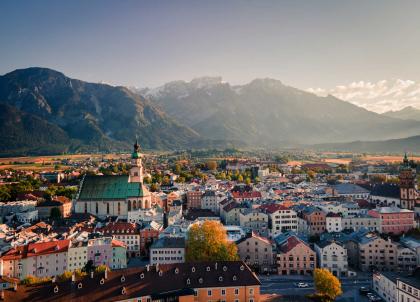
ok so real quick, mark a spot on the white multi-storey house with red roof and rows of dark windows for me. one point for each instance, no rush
(281, 218)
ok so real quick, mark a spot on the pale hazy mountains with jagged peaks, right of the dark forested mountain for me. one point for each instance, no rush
(265, 112)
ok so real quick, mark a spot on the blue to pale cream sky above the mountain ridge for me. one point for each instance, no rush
(313, 45)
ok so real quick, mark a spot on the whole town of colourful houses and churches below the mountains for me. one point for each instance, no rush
(123, 228)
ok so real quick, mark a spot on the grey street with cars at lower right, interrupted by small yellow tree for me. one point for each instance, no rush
(285, 286)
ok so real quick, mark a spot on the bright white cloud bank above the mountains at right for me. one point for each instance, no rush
(380, 97)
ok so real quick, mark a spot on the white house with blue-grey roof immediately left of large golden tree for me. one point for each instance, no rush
(167, 250)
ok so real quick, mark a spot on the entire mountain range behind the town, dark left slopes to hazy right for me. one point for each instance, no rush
(43, 111)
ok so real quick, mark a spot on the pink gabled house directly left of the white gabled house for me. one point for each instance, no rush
(294, 256)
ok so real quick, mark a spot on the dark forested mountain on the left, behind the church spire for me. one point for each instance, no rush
(43, 111)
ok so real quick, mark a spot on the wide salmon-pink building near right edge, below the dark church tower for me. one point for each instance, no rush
(394, 220)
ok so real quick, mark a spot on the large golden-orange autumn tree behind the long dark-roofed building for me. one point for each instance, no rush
(208, 242)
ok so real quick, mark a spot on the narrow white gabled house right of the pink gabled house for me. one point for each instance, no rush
(332, 255)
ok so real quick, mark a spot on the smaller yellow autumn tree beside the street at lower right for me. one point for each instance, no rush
(326, 284)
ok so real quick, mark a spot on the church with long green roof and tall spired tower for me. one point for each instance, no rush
(115, 195)
